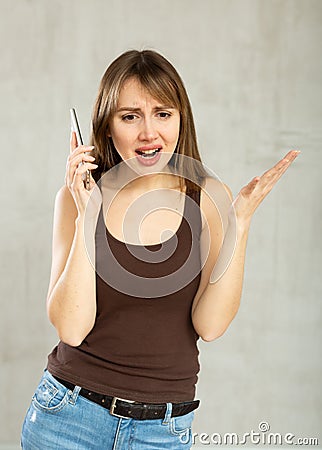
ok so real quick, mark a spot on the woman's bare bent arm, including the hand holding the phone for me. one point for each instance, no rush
(71, 299)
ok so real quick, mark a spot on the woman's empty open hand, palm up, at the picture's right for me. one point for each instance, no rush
(251, 195)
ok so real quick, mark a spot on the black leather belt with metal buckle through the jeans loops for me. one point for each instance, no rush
(134, 410)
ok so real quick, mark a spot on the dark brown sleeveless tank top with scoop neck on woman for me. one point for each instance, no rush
(143, 346)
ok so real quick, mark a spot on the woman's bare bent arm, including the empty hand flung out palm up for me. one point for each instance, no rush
(217, 303)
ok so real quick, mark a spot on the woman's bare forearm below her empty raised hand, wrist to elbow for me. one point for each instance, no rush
(220, 301)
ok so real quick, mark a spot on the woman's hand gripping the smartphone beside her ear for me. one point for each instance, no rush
(74, 178)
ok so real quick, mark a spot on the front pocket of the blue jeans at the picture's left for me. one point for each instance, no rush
(50, 397)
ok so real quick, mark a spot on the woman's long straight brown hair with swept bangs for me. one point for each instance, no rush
(163, 82)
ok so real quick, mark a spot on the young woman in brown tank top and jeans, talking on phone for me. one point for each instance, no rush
(145, 261)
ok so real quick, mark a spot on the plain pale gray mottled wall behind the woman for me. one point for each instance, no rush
(253, 70)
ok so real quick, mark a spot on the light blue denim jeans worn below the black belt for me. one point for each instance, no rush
(61, 419)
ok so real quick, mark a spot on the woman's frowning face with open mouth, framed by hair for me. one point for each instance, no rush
(143, 128)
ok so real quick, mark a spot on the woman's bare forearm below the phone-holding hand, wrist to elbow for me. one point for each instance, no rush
(71, 305)
